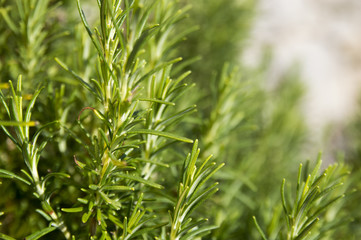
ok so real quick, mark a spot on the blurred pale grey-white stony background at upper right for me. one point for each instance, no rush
(324, 38)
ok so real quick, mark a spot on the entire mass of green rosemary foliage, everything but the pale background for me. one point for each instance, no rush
(101, 116)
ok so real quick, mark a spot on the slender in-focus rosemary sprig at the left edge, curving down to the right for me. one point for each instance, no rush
(31, 153)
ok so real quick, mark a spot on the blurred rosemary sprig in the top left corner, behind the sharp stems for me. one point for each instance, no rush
(30, 32)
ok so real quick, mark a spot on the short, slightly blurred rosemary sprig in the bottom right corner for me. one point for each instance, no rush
(307, 217)
